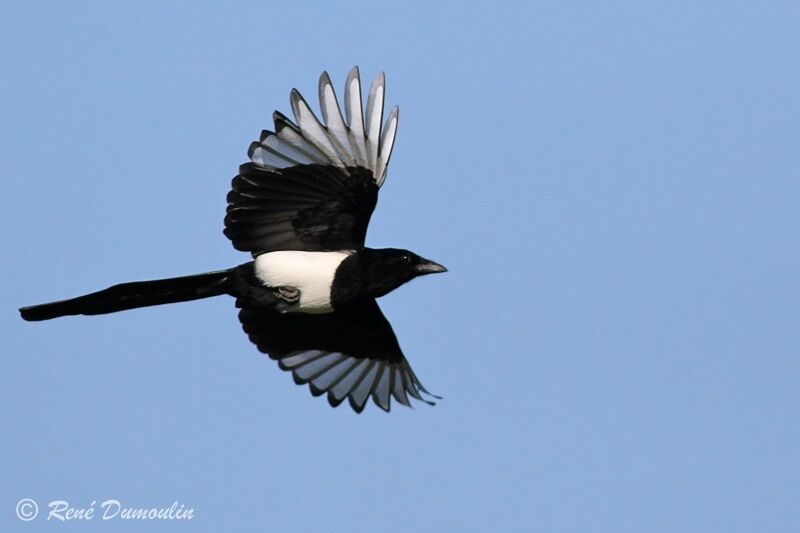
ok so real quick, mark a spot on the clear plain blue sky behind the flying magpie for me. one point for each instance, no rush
(615, 189)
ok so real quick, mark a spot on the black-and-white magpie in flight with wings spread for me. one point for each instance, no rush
(301, 206)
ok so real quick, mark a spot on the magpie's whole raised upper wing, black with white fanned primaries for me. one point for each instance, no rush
(313, 186)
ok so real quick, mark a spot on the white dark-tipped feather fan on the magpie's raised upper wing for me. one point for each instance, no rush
(358, 139)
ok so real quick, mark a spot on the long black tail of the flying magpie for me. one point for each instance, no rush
(133, 295)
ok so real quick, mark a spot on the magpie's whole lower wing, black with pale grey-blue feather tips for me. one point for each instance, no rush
(351, 353)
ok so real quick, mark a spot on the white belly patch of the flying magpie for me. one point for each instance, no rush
(310, 272)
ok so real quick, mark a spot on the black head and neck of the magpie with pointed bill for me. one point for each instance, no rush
(385, 269)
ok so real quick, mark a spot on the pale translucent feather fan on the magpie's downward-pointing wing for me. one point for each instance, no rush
(344, 377)
